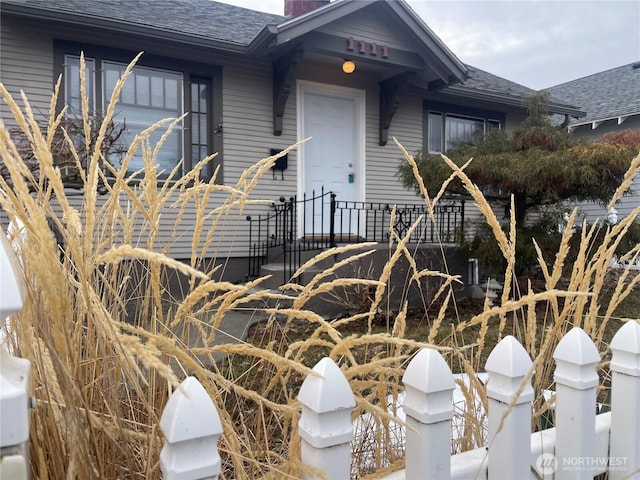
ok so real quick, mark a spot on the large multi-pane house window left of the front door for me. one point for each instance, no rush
(152, 92)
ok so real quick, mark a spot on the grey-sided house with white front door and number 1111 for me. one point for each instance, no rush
(254, 83)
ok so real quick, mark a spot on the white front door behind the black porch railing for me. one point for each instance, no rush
(332, 159)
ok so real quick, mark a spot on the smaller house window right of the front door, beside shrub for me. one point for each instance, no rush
(448, 126)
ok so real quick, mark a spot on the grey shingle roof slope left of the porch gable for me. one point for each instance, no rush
(190, 17)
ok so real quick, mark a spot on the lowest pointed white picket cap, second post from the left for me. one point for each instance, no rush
(190, 414)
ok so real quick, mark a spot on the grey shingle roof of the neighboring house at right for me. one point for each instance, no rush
(612, 94)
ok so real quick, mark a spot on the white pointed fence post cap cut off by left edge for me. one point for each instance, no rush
(13, 292)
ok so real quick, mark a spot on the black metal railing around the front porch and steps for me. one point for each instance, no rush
(321, 221)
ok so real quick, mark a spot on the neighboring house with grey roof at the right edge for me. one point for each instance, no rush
(611, 100)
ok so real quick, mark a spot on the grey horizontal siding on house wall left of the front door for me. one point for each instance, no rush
(26, 64)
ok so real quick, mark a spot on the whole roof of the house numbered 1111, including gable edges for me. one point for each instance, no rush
(218, 25)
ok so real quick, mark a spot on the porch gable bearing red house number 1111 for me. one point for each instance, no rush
(382, 33)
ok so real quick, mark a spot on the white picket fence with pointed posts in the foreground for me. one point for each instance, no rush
(581, 445)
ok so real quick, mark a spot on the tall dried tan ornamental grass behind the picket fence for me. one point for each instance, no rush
(108, 341)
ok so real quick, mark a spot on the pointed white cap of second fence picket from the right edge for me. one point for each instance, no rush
(576, 358)
